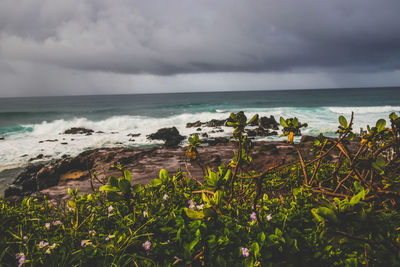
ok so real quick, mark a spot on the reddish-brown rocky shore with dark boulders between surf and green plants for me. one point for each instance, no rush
(91, 169)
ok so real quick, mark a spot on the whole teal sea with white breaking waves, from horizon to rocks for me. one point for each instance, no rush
(27, 123)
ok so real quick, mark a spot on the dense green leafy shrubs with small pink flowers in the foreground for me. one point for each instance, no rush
(340, 208)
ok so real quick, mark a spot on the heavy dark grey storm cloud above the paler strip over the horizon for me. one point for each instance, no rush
(182, 36)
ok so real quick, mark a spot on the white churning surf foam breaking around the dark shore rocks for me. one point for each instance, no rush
(18, 148)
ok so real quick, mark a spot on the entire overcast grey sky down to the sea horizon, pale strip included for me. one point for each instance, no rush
(79, 47)
